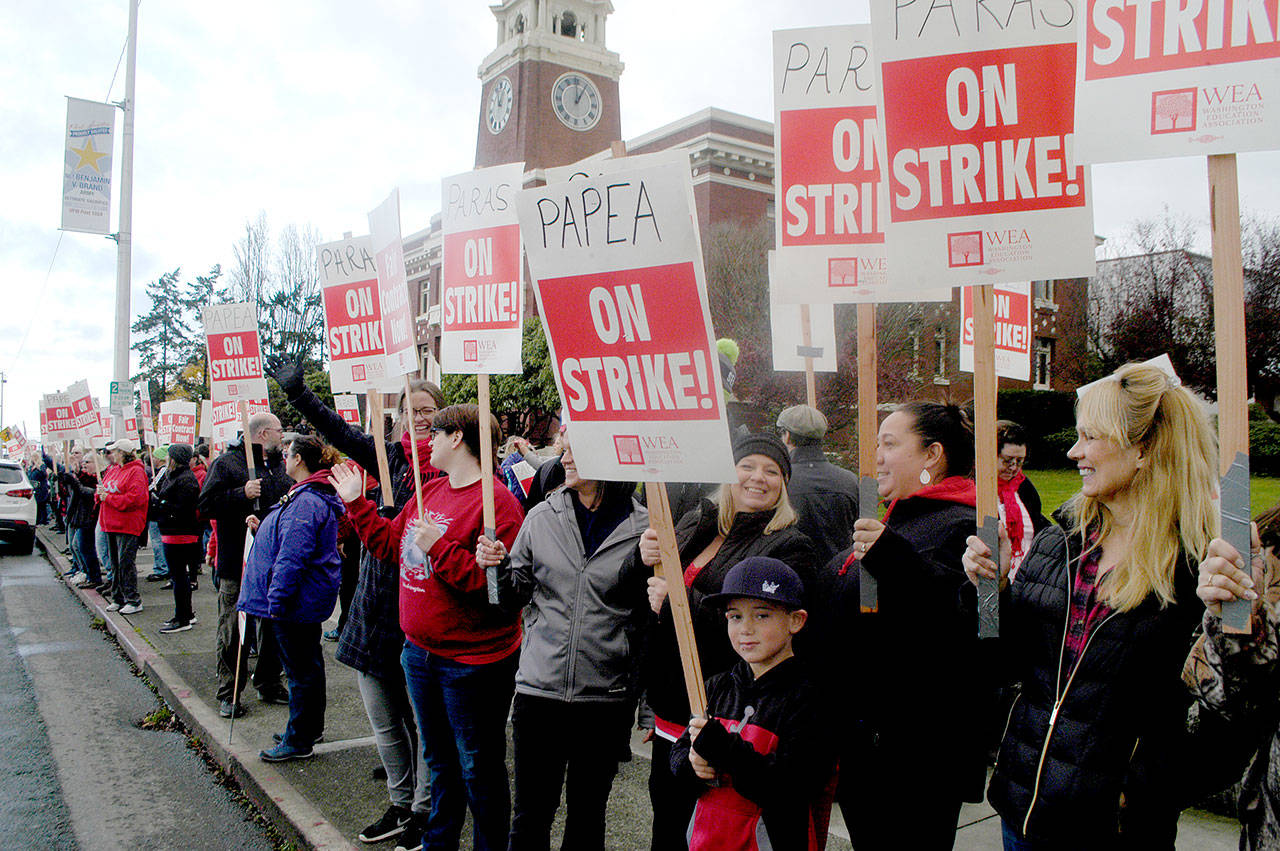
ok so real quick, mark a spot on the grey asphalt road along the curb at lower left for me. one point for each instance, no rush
(76, 768)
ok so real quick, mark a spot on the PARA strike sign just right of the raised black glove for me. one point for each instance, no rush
(353, 315)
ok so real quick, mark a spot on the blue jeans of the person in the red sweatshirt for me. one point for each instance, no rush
(461, 715)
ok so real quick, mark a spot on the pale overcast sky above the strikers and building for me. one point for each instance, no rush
(316, 111)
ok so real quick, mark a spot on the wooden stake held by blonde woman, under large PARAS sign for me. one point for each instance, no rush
(985, 449)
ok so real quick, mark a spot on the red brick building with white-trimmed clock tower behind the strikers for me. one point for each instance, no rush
(550, 97)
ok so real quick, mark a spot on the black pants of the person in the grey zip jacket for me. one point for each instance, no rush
(575, 745)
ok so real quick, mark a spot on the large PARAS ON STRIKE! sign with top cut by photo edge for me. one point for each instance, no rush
(977, 113)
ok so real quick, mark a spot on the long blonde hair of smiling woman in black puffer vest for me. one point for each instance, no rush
(1173, 493)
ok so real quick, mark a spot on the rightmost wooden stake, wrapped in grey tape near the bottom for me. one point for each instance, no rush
(1233, 400)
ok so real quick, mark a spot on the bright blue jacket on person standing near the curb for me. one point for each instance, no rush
(294, 570)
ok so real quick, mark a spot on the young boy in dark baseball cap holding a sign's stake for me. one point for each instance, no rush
(760, 762)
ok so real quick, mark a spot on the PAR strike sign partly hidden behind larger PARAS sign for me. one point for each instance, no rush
(830, 236)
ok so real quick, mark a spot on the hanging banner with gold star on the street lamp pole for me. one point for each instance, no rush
(88, 167)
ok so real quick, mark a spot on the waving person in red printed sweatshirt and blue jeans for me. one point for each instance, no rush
(461, 653)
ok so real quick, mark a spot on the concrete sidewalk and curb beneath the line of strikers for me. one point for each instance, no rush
(326, 802)
